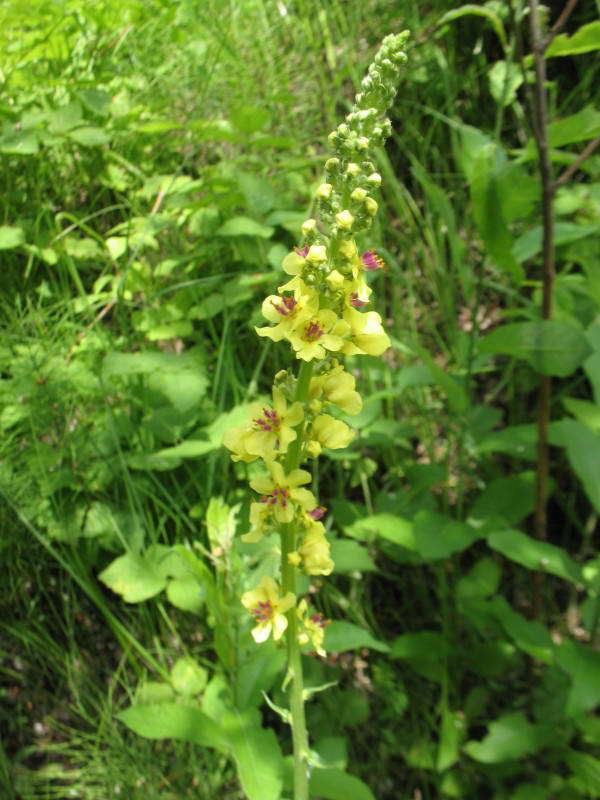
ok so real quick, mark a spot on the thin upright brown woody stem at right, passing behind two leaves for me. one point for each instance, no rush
(540, 118)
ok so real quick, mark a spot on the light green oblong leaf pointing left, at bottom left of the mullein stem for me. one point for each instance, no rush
(174, 721)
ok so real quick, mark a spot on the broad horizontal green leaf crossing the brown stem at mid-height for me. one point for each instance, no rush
(552, 348)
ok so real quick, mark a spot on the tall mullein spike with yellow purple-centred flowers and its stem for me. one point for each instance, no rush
(322, 312)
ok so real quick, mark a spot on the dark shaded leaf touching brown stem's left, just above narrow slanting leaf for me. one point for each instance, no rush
(511, 499)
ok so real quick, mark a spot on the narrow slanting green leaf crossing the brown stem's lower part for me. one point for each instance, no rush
(535, 555)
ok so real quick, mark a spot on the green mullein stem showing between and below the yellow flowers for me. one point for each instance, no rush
(288, 584)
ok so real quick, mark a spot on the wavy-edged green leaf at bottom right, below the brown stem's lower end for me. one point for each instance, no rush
(509, 738)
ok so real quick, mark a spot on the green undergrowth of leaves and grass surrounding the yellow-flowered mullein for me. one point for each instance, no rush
(158, 164)
